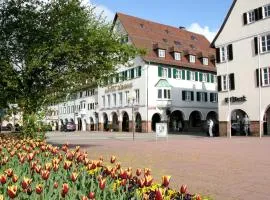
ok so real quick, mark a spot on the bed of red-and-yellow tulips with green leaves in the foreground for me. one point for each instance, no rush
(36, 170)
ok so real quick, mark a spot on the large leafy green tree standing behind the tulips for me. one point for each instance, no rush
(49, 49)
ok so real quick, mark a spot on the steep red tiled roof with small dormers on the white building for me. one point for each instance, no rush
(149, 35)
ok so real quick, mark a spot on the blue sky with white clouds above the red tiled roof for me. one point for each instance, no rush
(200, 16)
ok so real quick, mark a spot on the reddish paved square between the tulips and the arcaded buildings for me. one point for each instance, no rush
(225, 169)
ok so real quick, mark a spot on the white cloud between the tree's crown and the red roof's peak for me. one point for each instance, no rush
(100, 9)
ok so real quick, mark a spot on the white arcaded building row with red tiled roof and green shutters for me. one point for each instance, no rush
(175, 82)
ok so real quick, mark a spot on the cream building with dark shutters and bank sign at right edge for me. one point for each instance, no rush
(243, 68)
